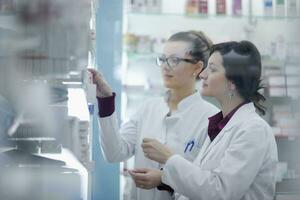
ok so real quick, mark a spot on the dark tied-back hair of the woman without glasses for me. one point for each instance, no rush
(242, 63)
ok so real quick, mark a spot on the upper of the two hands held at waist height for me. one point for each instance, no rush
(156, 151)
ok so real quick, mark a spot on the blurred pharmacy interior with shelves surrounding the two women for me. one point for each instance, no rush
(49, 146)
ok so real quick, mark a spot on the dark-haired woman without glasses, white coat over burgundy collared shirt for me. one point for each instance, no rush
(238, 159)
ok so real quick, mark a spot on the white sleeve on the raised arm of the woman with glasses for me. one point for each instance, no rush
(118, 143)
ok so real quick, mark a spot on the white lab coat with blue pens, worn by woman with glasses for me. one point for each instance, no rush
(187, 123)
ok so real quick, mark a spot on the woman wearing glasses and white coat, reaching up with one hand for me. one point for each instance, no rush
(176, 120)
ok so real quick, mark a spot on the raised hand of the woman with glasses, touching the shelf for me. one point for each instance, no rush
(103, 89)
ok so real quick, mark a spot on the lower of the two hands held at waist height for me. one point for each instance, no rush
(146, 178)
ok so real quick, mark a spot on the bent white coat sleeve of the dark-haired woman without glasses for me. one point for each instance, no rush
(230, 180)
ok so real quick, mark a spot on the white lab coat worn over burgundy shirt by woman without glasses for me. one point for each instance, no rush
(240, 163)
